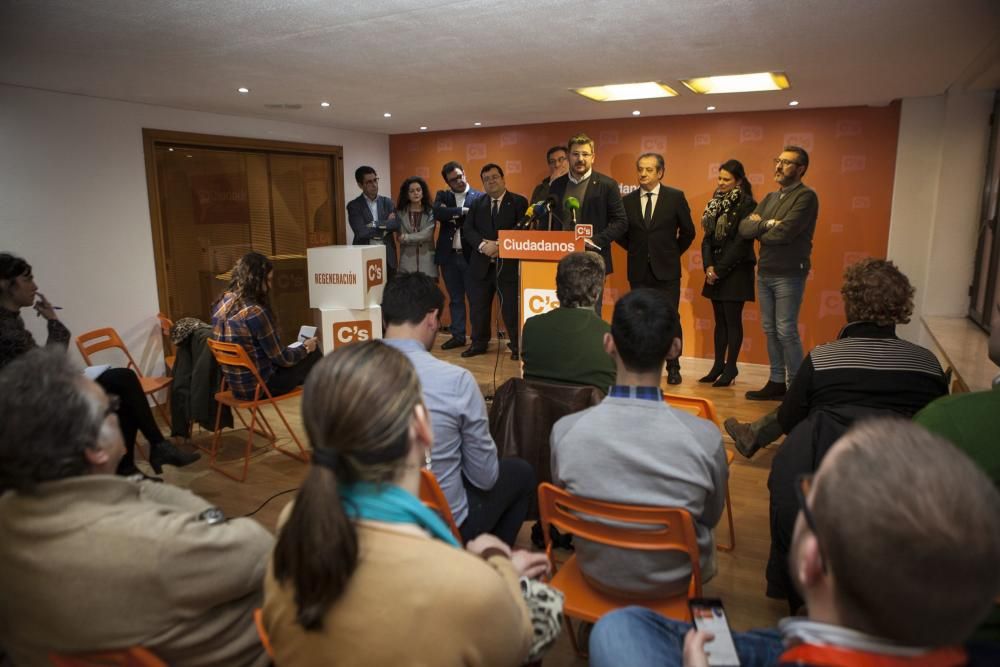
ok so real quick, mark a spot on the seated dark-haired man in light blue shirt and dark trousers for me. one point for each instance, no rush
(486, 495)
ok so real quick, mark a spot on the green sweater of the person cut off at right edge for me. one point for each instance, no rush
(971, 422)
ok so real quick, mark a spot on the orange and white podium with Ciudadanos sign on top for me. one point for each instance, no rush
(539, 254)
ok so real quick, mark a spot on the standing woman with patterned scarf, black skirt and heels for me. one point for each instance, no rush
(729, 262)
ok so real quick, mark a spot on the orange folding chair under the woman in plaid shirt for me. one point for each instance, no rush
(233, 354)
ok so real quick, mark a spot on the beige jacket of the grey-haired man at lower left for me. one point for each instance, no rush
(101, 562)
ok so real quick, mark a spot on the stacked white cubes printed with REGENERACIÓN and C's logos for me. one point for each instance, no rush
(345, 285)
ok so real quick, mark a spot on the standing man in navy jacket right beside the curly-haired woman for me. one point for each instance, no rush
(452, 252)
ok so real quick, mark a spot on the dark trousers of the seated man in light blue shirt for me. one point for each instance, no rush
(501, 510)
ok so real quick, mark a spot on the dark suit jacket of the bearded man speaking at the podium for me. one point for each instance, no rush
(601, 207)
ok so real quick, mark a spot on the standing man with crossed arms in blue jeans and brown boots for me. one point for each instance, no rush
(784, 223)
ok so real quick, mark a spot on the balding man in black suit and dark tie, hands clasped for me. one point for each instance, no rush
(659, 231)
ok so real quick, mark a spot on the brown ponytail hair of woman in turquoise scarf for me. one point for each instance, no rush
(359, 432)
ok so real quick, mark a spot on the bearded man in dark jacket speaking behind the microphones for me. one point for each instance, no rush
(599, 197)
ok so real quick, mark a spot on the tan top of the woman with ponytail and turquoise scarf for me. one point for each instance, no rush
(411, 601)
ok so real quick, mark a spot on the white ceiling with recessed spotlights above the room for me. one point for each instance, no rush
(448, 63)
